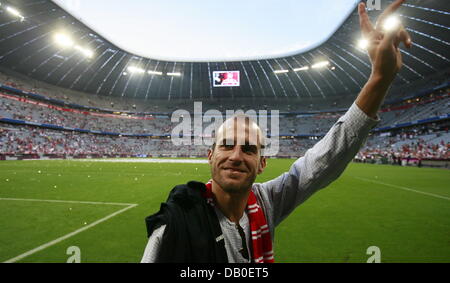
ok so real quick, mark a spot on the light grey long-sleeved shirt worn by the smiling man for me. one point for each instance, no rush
(320, 165)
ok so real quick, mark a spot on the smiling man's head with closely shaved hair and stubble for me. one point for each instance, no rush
(236, 158)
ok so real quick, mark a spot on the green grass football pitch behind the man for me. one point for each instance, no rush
(403, 211)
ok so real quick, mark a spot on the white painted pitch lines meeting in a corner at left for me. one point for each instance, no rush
(60, 239)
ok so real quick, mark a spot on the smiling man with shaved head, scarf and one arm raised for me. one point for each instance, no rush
(232, 219)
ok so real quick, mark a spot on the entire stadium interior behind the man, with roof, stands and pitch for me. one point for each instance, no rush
(87, 130)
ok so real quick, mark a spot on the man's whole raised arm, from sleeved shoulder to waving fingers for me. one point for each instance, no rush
(323, 163)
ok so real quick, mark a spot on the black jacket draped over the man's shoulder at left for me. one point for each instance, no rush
(192, 232)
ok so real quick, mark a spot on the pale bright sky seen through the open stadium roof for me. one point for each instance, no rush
(206, 30)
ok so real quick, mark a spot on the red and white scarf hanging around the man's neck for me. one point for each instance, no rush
(261, 241)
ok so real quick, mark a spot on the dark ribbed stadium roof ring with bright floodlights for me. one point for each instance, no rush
(41, 40)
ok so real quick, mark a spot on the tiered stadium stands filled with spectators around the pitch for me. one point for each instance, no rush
(38, 126)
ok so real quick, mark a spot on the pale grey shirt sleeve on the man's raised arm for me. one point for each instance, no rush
(320, 166)
